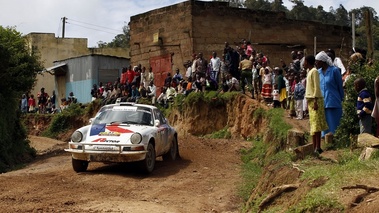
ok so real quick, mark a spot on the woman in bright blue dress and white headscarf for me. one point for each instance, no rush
(331, 89)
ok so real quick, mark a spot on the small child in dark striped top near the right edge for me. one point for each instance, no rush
(364, 106)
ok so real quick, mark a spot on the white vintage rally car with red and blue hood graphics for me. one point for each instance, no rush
(124, 132)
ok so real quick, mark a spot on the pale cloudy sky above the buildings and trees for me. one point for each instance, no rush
(102, 20)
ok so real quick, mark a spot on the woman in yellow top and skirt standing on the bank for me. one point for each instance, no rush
(315, 102)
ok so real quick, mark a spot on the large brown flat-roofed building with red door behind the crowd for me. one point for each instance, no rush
(167, 37)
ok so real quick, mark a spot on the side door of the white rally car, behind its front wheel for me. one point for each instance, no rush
(162, 142)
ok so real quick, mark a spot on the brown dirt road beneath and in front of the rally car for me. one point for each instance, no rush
(206, 179)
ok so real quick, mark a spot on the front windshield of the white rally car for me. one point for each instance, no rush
(125, 115)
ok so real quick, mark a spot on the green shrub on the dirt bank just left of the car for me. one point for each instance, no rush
(64, 120)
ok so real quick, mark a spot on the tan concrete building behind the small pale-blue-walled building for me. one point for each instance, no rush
(53, 49)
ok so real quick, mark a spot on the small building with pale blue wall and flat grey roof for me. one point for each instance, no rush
(79, 74)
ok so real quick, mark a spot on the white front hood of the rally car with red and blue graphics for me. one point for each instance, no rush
(114, 133)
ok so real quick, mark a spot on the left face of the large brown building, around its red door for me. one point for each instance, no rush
(172, 27)
